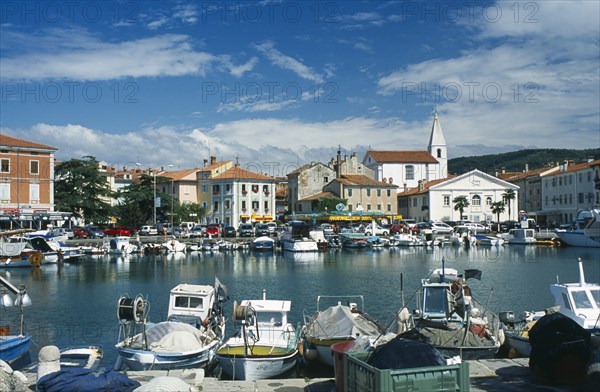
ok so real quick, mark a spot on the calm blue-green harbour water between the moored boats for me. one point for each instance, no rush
(76, 304)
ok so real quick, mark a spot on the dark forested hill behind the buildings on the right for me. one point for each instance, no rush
(516, 160)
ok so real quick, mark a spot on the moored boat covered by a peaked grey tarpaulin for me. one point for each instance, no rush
(337, 323)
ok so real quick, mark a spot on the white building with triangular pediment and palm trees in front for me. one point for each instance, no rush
(433, 200)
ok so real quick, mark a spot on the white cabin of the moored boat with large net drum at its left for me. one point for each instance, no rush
(191, 303)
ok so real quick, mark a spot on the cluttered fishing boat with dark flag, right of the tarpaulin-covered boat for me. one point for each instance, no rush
(454, 322)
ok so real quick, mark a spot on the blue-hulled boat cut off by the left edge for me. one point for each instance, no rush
(14, 347)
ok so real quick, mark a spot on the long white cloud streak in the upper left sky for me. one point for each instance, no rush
(88, 58)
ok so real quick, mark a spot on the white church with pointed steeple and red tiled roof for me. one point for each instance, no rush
(406, 168)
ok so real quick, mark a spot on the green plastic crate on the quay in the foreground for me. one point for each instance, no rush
(361, 377)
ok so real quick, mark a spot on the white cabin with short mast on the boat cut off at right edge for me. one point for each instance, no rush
(579, 301)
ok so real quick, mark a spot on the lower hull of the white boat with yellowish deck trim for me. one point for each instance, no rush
(257, 368)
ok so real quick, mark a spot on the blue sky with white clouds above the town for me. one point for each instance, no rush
(276, 84)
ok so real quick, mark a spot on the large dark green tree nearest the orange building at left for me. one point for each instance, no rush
(79, 188)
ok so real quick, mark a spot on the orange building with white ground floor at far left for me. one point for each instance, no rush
(26, 178)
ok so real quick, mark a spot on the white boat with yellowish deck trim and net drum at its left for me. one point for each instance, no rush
(265, 346)
